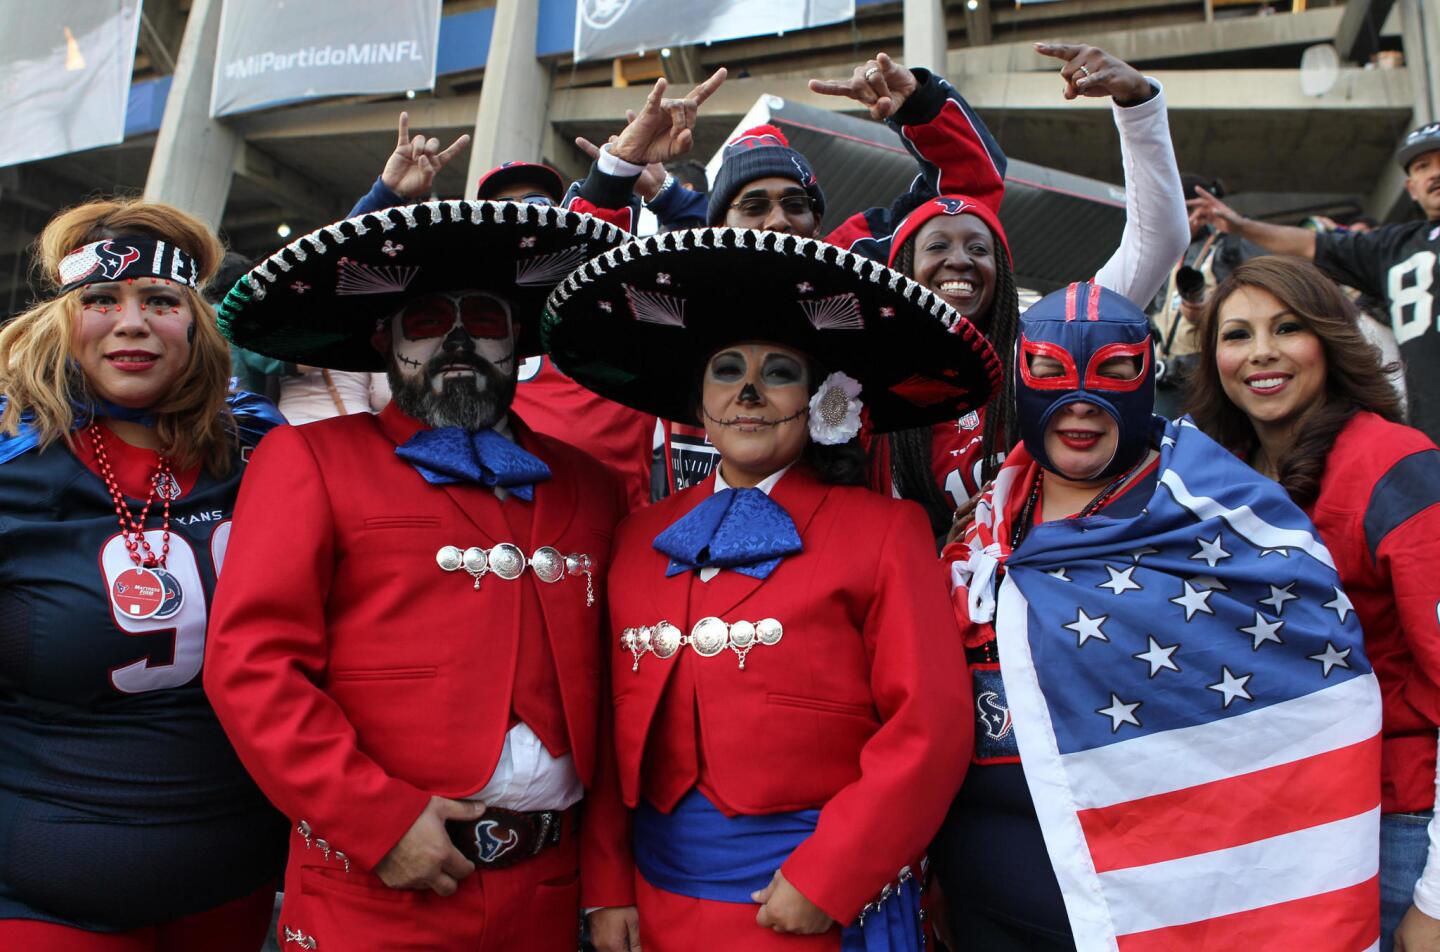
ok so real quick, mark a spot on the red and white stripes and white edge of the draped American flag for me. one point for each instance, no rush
(1243, 833)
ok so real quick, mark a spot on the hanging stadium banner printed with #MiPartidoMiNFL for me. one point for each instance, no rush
(322, 48)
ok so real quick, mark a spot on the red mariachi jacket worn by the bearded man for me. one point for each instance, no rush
(354, 676)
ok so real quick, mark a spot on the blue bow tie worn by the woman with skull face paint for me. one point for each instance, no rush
(735, 529)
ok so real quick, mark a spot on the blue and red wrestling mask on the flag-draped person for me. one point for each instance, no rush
(1084, 328)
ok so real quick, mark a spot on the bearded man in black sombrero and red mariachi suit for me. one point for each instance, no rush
(405, 646)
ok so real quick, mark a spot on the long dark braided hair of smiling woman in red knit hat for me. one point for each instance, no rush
(911, 450)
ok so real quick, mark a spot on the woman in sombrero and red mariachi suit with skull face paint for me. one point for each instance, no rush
(787, 721)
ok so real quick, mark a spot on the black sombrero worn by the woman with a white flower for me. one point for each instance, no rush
(637, 323)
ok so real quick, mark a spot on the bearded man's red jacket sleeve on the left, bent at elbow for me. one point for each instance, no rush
(267, 650)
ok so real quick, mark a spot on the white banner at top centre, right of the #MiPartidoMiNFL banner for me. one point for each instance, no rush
(618, 28)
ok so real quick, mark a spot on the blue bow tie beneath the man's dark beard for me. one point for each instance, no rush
(451, 454)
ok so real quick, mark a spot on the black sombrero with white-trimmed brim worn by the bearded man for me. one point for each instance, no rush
(319, 299)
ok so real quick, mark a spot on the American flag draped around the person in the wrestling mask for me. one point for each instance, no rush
(1197, 721)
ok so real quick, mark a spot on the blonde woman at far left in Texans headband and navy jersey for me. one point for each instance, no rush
(127, 820)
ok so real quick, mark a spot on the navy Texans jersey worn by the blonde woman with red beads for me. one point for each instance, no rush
(122, 801)
